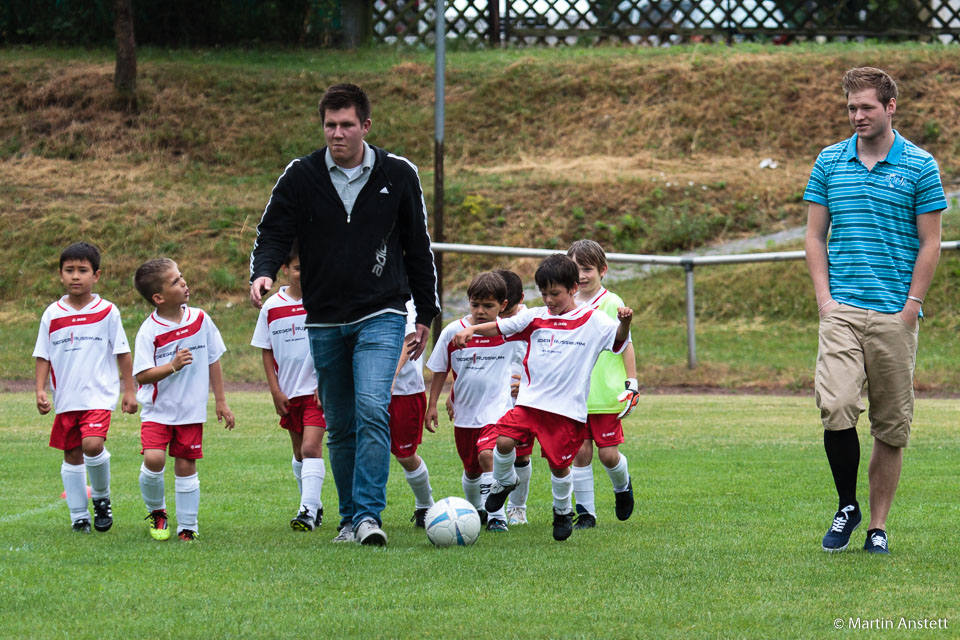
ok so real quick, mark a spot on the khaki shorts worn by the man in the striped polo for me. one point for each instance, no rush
(861, 347)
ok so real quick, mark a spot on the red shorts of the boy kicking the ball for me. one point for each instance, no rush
(560, 437)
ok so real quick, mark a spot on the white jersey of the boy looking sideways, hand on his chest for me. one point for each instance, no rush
(180, 398)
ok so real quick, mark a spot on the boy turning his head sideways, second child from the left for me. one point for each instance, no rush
(173, 393)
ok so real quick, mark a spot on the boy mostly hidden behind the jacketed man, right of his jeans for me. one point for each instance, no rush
(408, 406)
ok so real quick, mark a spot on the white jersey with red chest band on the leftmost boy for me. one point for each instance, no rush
(82, 348)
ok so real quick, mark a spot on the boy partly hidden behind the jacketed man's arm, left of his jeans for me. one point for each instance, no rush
(282, 335)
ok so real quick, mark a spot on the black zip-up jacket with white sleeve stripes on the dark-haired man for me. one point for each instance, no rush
(351, 266)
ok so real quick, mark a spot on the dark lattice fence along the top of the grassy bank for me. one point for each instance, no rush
(662, 22)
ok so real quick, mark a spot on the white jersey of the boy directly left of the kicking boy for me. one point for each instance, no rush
(481, 375)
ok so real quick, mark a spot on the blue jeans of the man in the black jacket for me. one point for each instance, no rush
(355, 366)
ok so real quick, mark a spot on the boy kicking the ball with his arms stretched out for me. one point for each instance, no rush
(562, 342)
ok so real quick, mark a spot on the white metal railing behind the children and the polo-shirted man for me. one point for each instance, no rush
(686, 262)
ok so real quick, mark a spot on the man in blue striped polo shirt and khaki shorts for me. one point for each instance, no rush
(882, 197)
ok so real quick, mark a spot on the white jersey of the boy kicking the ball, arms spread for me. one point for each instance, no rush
(559, 357)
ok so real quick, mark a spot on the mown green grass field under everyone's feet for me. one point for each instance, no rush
(733, 495)
